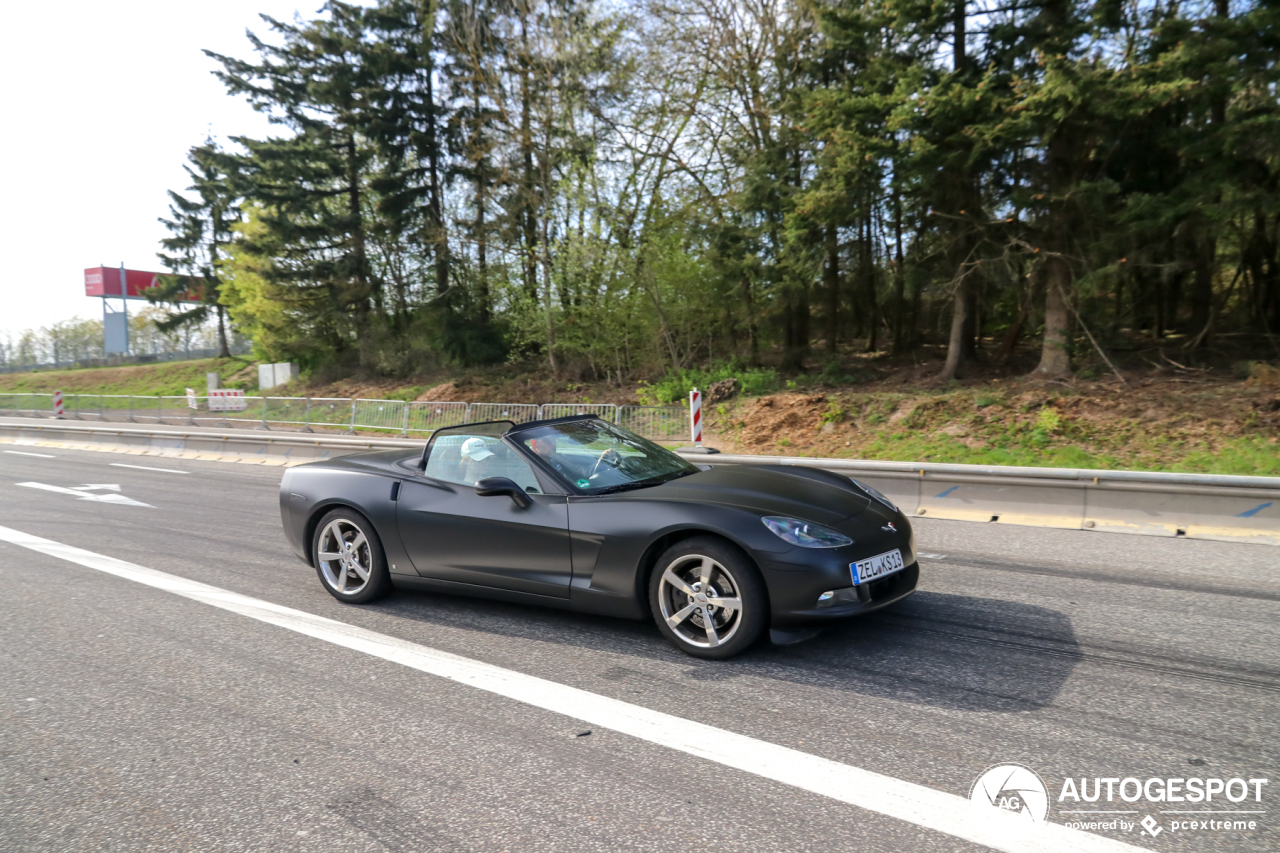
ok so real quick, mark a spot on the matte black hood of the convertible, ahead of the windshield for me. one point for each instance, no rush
(804, 494)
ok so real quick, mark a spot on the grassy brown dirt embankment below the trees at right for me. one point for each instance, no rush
(1150, 425)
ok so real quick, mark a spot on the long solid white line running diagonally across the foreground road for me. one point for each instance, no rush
(904, 801)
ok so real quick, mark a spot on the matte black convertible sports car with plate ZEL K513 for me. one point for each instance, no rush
(580, 514)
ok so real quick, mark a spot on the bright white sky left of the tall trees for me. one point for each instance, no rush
(102, 103)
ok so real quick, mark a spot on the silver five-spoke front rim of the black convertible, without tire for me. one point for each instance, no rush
(701, 601)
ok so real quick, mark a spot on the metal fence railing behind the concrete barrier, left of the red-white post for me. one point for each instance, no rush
(308, 414)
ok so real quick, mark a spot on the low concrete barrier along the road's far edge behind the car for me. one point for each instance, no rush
(1196, 507)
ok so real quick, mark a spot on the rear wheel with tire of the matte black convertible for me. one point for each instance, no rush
(360, 550)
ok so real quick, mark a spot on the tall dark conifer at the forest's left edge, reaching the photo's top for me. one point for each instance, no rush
(314, 186)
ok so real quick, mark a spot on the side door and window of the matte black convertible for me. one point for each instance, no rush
(451, 533)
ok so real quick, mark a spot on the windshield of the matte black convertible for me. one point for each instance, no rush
(598, 458)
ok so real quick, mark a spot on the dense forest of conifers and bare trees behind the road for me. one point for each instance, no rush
(621, 190)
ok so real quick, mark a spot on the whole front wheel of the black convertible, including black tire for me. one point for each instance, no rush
(683, 615)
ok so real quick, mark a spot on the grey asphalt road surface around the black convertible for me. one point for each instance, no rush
(132, 719)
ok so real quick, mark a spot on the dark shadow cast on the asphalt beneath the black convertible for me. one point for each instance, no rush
(939, 650)
